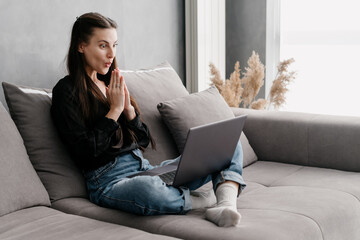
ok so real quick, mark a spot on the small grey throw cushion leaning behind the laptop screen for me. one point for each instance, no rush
(181, 114)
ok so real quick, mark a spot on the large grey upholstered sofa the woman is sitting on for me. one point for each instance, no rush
(302, 173)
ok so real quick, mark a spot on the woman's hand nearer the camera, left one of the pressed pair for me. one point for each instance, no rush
(115, 93)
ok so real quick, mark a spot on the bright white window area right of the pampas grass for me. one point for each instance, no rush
(323, 36)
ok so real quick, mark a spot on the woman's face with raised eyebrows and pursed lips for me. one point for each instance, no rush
(100, 51)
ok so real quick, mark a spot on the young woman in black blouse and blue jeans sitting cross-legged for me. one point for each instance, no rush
(100, 124)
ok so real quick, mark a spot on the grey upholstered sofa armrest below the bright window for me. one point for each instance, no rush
(303, 138)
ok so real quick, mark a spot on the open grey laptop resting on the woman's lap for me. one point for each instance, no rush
(208, 149)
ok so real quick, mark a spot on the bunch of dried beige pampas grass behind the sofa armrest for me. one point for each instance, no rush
(239, 91)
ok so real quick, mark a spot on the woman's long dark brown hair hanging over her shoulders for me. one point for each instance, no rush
(84, 88)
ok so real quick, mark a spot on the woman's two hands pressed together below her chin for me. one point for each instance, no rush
(119, 97)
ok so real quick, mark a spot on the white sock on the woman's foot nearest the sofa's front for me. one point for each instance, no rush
(225, 214)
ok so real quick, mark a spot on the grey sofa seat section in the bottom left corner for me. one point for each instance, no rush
(46, 223)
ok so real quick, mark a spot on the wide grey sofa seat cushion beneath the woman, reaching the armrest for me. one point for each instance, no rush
(278, 203)
